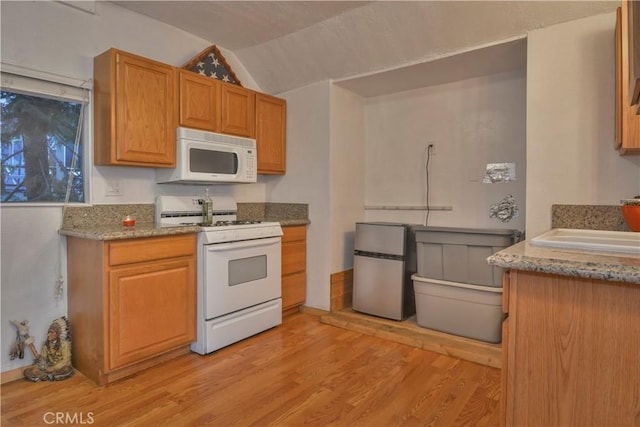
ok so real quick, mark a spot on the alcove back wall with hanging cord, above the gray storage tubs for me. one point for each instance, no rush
(470, 123)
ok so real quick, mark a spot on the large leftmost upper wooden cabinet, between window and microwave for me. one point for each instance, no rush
(135, 111)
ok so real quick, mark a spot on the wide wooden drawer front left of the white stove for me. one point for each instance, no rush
(154, 248)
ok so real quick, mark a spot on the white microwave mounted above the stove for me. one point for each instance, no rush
(208, 158)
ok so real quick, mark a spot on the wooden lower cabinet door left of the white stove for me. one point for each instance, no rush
(151, 309)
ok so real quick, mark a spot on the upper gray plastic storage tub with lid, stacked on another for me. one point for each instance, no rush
(460, 254)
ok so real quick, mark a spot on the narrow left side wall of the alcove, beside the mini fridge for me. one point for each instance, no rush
(347, 174)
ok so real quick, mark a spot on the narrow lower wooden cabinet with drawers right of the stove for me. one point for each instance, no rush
(294, 267)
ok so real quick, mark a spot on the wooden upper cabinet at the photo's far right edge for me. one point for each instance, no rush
(627, 138)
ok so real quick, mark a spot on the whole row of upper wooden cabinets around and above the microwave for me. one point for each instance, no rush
(139, 102)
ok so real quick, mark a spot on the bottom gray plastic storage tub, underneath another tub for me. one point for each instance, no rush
(470, 311)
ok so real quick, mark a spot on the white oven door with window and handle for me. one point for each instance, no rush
(238, 275)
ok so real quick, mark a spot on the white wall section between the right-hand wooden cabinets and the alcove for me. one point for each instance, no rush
(308, 181)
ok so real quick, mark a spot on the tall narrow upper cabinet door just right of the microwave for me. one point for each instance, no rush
(271, 116)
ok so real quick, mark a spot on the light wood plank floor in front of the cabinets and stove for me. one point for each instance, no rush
(303, 372)
